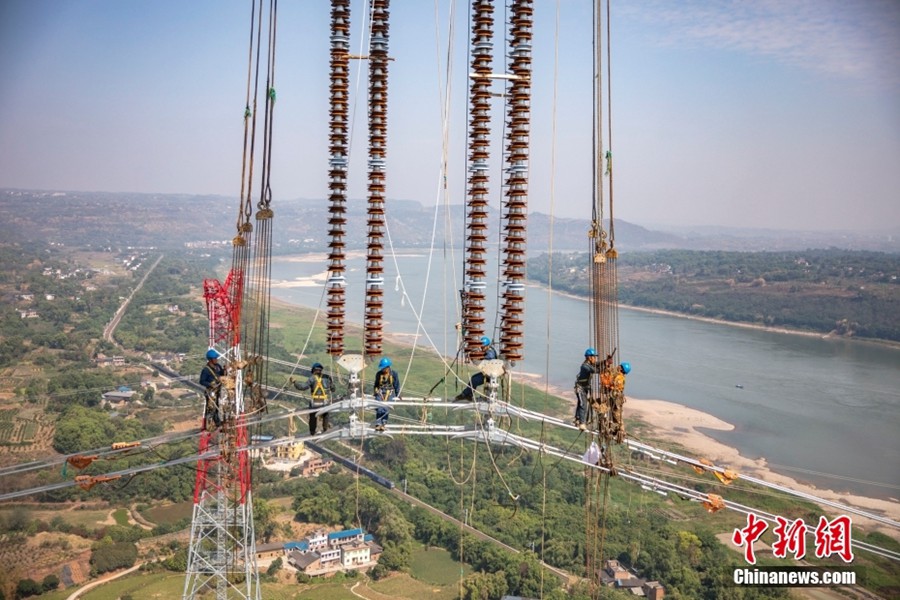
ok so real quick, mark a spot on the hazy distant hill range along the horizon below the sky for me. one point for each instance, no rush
(103, 219)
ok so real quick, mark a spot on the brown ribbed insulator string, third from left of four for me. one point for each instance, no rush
(479, 152)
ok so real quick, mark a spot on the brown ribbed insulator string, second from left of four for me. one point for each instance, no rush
(378, 93)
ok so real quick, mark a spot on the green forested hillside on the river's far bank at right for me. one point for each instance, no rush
(848, 293)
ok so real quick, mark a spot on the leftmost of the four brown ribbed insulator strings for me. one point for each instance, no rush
(337, 173)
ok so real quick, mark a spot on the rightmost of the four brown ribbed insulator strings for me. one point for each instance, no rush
(517, 164)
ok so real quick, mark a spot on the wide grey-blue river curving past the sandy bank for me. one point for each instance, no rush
(820, 410)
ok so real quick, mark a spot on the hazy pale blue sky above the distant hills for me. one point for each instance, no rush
(775, 113)
